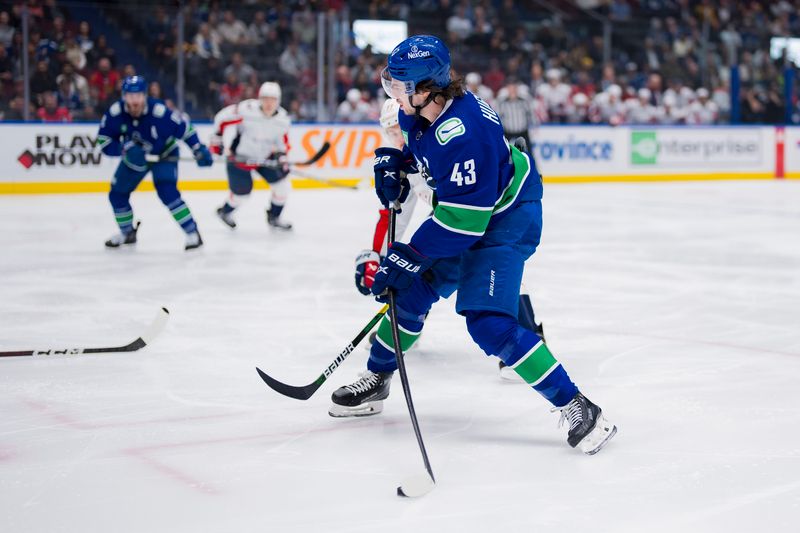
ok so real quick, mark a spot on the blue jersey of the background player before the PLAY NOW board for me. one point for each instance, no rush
(157, 129)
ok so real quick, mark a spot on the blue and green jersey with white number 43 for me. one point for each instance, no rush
(477, 176)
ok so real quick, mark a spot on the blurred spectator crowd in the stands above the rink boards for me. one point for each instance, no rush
(670, 60)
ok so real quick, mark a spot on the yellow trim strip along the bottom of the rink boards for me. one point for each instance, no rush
(70, 187)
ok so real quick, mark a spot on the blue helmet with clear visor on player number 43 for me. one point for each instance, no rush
(419, 58)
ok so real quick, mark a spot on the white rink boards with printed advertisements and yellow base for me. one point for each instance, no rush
(64, 158)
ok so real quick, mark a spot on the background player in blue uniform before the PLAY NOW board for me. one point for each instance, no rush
(146, 133)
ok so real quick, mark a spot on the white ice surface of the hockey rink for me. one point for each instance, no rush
(675, 306)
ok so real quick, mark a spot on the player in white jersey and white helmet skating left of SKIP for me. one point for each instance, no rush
(260, 142)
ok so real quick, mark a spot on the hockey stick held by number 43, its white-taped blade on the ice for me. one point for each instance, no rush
(419, 485)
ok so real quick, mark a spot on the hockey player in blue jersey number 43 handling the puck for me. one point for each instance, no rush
(486, 223)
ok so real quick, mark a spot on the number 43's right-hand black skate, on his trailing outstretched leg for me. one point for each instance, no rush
(588, 428)
